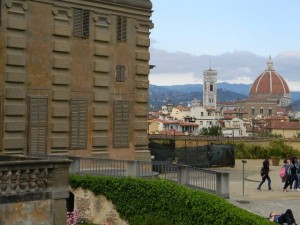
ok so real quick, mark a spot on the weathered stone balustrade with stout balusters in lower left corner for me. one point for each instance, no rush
(33, 183)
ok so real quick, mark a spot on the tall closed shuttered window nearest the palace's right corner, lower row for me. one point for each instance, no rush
(121, 124)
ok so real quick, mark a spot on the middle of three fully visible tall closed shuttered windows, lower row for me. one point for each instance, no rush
(78, 123)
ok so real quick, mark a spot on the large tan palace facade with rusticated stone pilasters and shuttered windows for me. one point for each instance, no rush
(74, 77)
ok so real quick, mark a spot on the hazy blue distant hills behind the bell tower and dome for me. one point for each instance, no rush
(183, 94)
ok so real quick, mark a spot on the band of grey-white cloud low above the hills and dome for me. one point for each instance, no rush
(173, 68)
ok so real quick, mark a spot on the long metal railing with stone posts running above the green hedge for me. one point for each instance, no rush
(197, 178)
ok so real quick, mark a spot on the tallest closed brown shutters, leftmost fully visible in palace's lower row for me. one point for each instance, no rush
(38, 121)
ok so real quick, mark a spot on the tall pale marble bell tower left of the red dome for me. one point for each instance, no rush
(210, 88)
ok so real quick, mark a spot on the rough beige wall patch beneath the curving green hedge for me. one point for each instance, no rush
(96, 209)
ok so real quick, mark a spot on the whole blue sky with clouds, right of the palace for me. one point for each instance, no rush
(234, 37)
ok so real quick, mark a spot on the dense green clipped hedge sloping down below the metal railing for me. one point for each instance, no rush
(136, 198)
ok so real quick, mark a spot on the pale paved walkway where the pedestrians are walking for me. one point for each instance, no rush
(264, 201)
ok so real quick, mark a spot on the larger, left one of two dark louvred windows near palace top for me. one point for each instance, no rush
(81, 23)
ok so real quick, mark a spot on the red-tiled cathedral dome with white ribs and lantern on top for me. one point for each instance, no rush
(269, 83)
